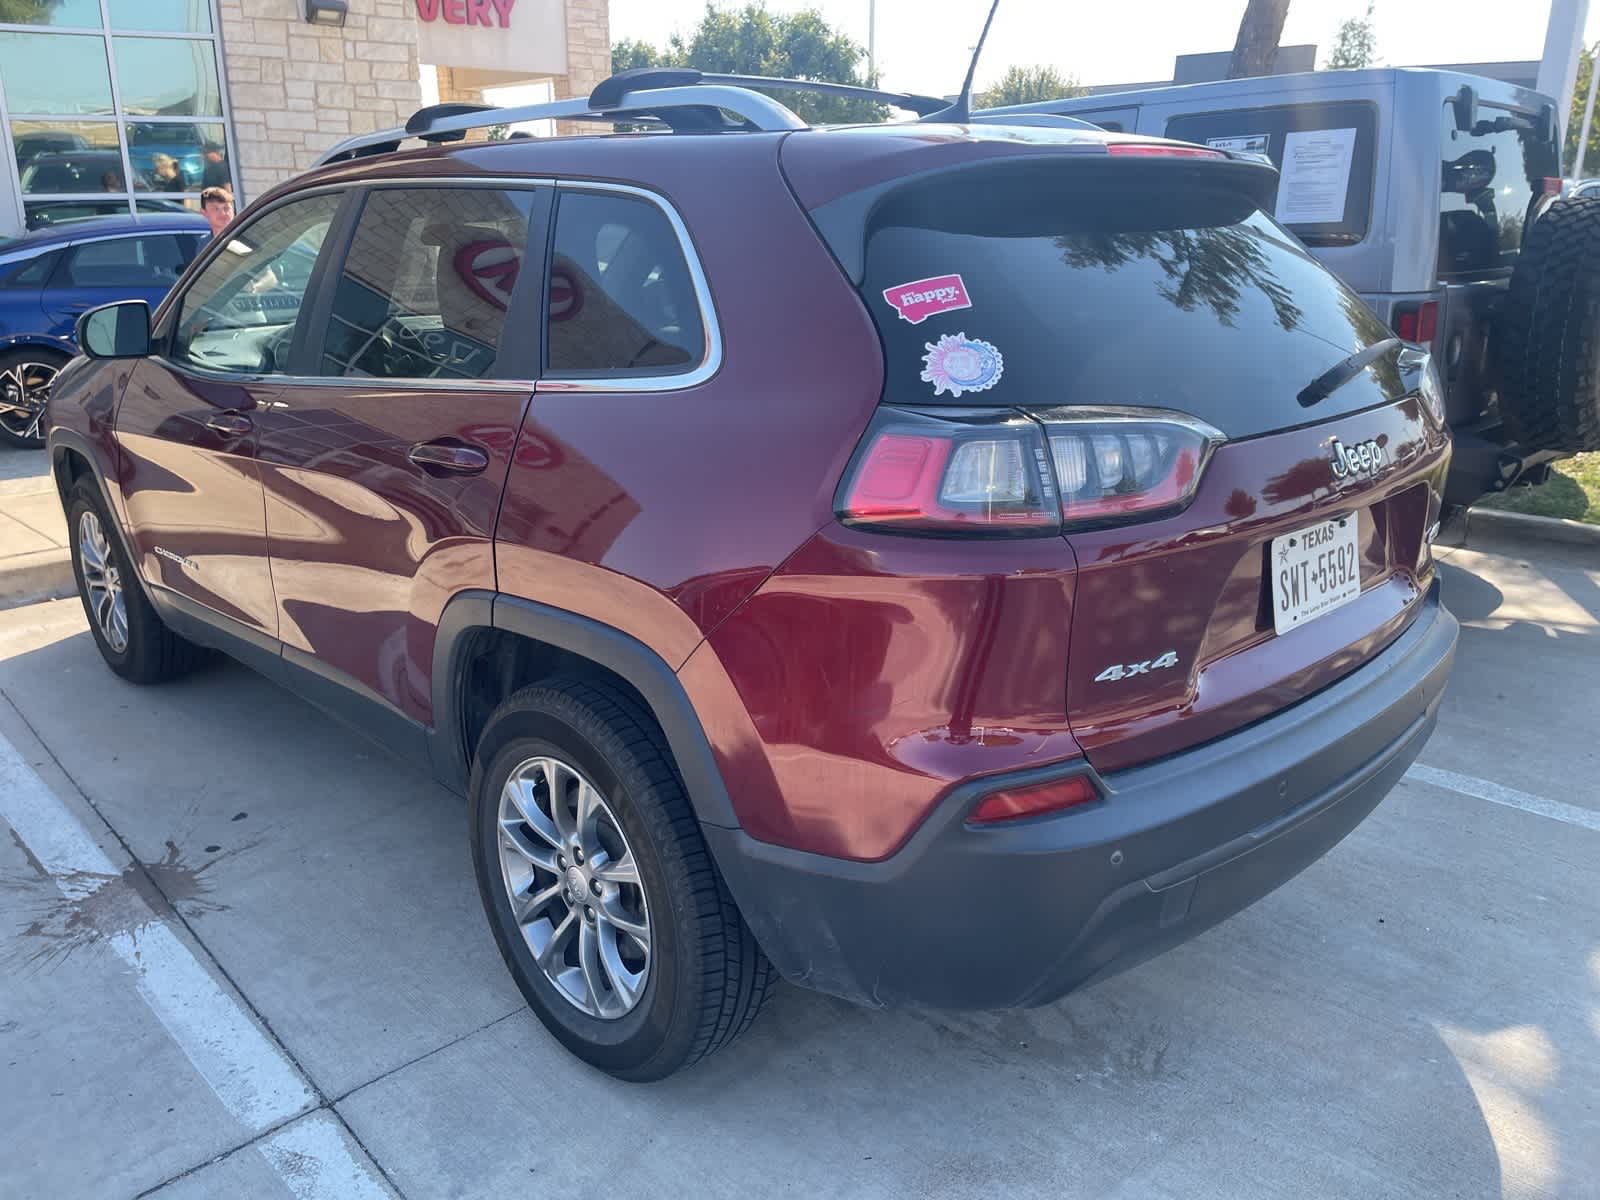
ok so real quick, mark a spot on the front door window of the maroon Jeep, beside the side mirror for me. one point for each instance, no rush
(239, 314)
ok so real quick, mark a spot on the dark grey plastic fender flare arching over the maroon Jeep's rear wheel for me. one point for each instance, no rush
(620, 654)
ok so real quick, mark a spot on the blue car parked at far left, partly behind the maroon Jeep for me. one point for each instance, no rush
(52, 276)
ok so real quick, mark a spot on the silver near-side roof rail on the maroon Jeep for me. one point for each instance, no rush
(689, 108)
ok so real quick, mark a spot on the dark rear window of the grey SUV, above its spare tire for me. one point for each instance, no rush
(1487, 186)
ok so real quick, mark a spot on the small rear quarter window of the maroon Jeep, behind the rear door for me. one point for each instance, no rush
(622, 295)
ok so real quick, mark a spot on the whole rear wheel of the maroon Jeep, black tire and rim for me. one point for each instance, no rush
(644, 1007)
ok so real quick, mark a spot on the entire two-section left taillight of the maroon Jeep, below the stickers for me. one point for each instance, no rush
(1007, 473)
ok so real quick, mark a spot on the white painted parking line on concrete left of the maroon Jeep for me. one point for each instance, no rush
(250, 1074)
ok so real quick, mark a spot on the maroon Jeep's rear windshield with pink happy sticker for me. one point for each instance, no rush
(1148, 294)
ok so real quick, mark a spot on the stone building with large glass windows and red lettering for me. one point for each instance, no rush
(137, 106)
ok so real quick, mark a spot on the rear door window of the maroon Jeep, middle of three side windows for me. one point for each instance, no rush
(425, 290)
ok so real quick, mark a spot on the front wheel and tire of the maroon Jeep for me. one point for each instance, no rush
(134, 641)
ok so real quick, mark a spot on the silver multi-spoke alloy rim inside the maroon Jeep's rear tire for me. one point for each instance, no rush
(574, 887)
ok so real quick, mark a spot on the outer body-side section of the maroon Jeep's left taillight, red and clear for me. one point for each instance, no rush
(951, 471)
